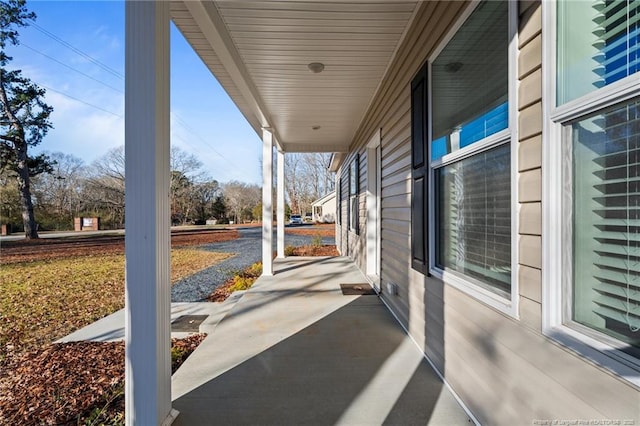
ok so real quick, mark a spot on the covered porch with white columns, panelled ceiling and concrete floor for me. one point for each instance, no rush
(304, 75)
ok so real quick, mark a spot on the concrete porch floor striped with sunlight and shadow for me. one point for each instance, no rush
(293, 351)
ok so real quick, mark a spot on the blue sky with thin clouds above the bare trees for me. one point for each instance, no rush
(89, 107)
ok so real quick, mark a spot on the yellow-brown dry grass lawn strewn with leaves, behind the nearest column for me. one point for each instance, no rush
(43, 301)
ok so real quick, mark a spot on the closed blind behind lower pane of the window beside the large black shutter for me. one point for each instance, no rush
(474, 218)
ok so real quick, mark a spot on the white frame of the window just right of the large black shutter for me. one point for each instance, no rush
(463, 283)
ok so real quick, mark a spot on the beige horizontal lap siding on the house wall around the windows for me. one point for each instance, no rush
(503, 368)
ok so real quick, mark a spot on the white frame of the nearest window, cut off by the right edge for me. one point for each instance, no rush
(556, 291)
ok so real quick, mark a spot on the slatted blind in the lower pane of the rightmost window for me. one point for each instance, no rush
(607, 222)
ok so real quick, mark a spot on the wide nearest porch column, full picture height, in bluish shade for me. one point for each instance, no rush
(147, 240)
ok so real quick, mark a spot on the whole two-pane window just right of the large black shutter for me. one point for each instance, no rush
(469, 156)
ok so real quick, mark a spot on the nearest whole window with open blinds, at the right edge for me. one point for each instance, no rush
(595, 136)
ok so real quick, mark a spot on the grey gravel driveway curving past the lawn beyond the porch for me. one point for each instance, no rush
(247, 249)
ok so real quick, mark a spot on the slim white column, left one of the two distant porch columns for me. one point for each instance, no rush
(267, 203)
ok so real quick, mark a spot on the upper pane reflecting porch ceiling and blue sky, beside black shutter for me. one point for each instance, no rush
(470, 86)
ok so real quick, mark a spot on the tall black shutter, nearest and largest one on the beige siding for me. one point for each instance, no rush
(419, 174)
